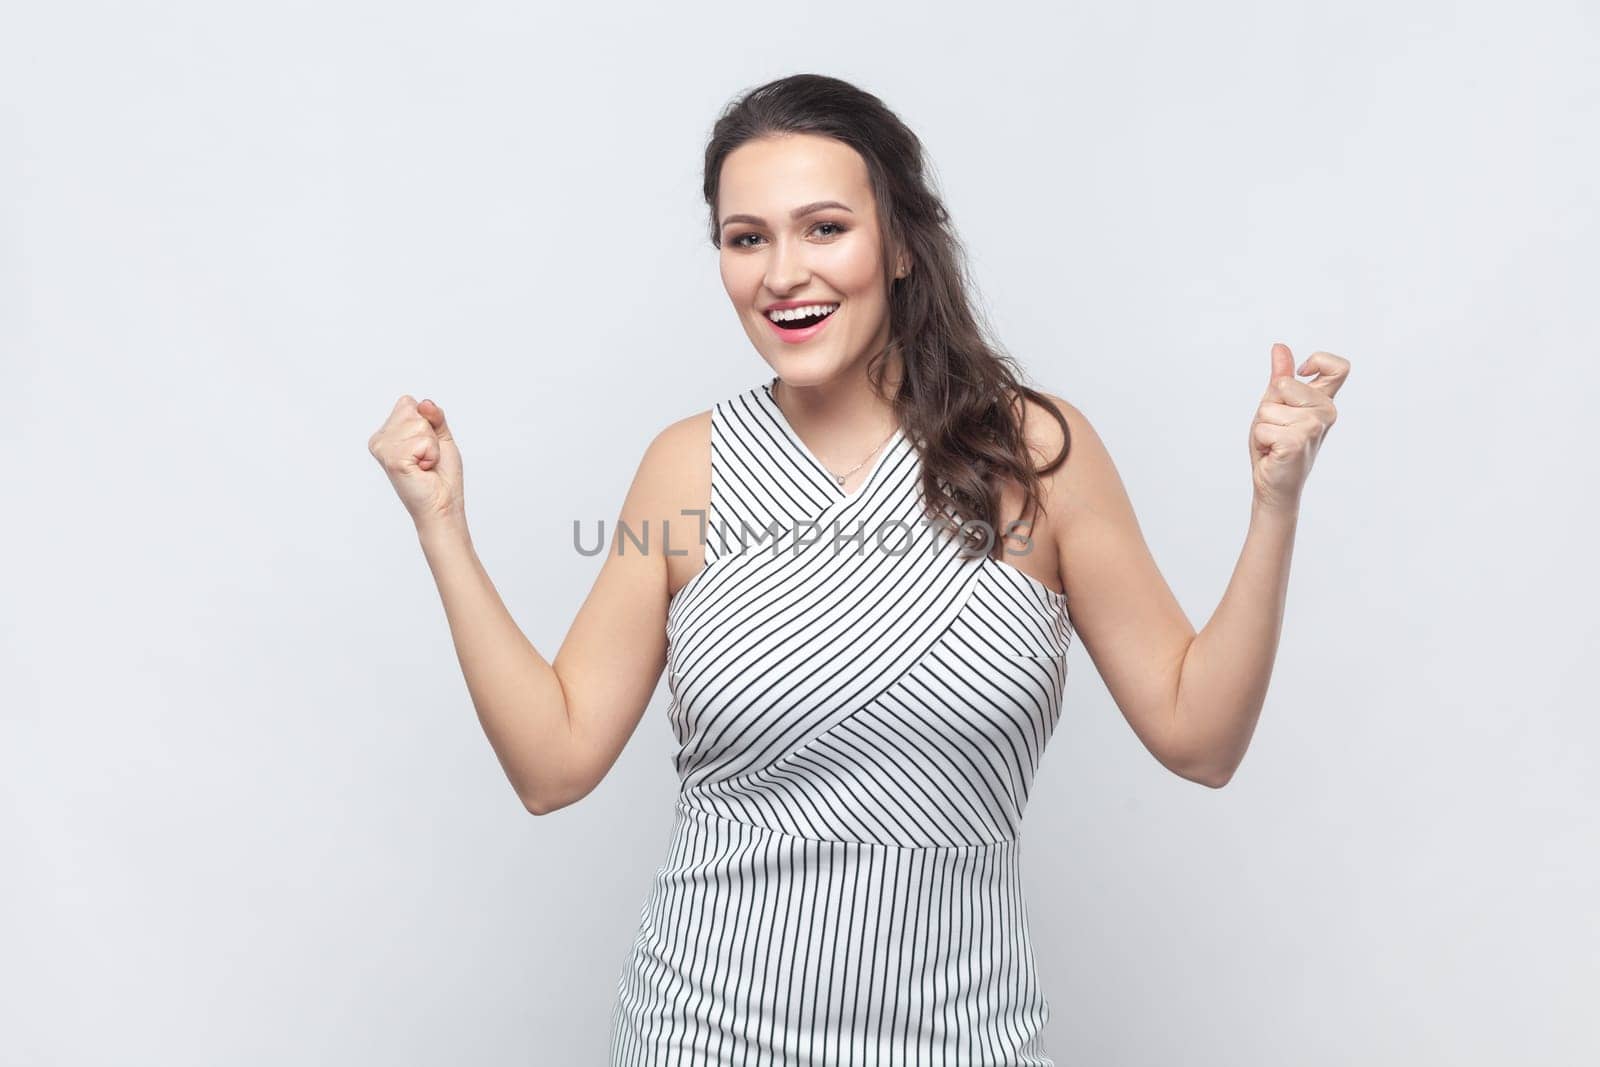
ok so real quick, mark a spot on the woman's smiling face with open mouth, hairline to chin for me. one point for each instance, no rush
(826, 255)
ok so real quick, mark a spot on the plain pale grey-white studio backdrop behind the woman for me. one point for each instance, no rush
(249, 812)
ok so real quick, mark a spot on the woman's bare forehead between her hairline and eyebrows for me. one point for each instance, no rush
(770, 175)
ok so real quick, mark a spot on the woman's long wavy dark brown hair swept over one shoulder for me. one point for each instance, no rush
(959, 394)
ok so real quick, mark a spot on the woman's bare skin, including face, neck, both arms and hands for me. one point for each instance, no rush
(558, 727)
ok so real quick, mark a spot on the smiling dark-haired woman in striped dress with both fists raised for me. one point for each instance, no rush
(868, 652)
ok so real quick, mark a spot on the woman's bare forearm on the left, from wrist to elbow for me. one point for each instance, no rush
(516, 692)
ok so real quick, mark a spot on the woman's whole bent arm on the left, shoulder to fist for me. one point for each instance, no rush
(558, 725)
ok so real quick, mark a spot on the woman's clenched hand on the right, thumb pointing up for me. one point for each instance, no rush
(1290, 423)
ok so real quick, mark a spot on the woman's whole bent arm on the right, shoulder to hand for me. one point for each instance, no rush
(1191, 698)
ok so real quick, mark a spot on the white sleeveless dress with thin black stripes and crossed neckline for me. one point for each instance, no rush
(858, 714)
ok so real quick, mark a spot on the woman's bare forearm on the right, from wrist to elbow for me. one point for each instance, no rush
(1225, 674)
